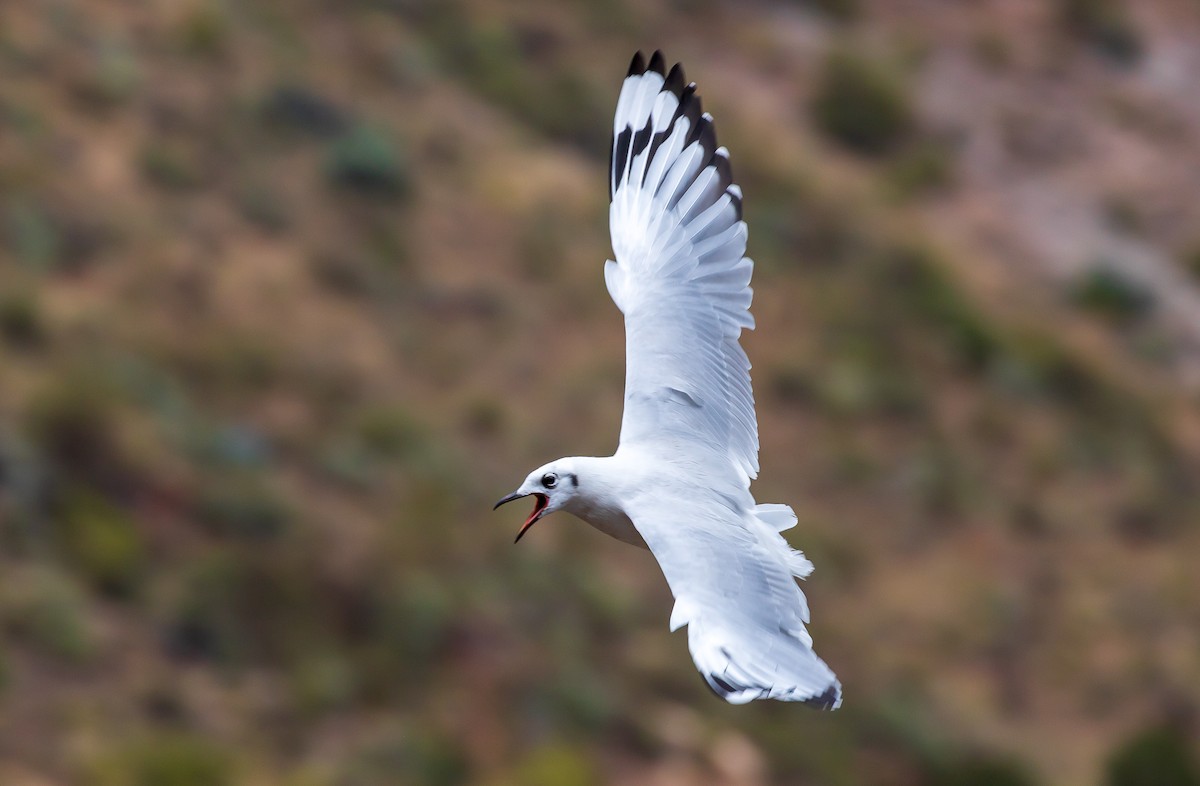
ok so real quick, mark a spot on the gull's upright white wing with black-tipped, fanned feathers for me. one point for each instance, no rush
(681, 277)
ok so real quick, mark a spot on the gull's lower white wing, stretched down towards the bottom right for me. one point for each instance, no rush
(733, 577)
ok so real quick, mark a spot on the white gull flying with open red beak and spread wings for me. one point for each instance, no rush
(680, 482)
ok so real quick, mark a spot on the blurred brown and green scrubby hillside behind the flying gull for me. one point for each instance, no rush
(292, 292)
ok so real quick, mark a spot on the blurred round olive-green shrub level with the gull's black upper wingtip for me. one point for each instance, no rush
(861, 105)
